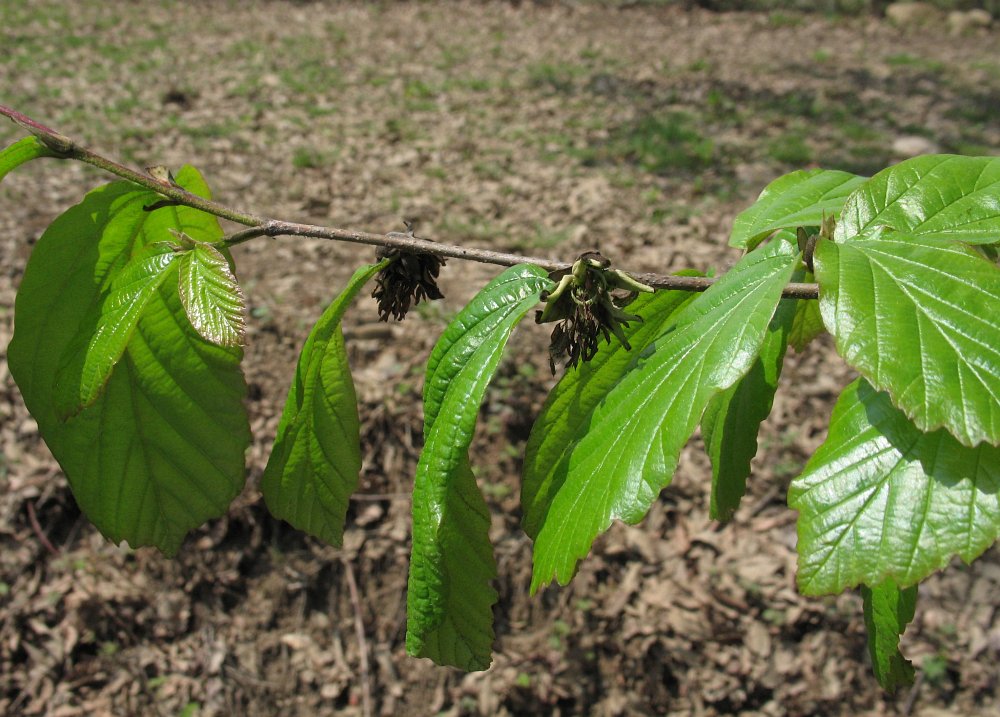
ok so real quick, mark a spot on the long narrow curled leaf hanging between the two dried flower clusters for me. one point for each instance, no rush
(449, 599)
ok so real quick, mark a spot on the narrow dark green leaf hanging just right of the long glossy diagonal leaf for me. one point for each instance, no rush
(732, 418)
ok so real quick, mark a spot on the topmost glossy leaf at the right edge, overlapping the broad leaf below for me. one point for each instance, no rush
(933, 196)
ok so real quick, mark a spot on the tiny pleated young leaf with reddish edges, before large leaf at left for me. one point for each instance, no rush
(211, 295)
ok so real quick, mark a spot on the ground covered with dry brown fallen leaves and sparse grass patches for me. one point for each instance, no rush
(640, 129)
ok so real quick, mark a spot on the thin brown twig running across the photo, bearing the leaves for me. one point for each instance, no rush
(258, 225)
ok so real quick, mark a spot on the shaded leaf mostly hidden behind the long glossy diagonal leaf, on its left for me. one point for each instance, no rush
(578, 392)
